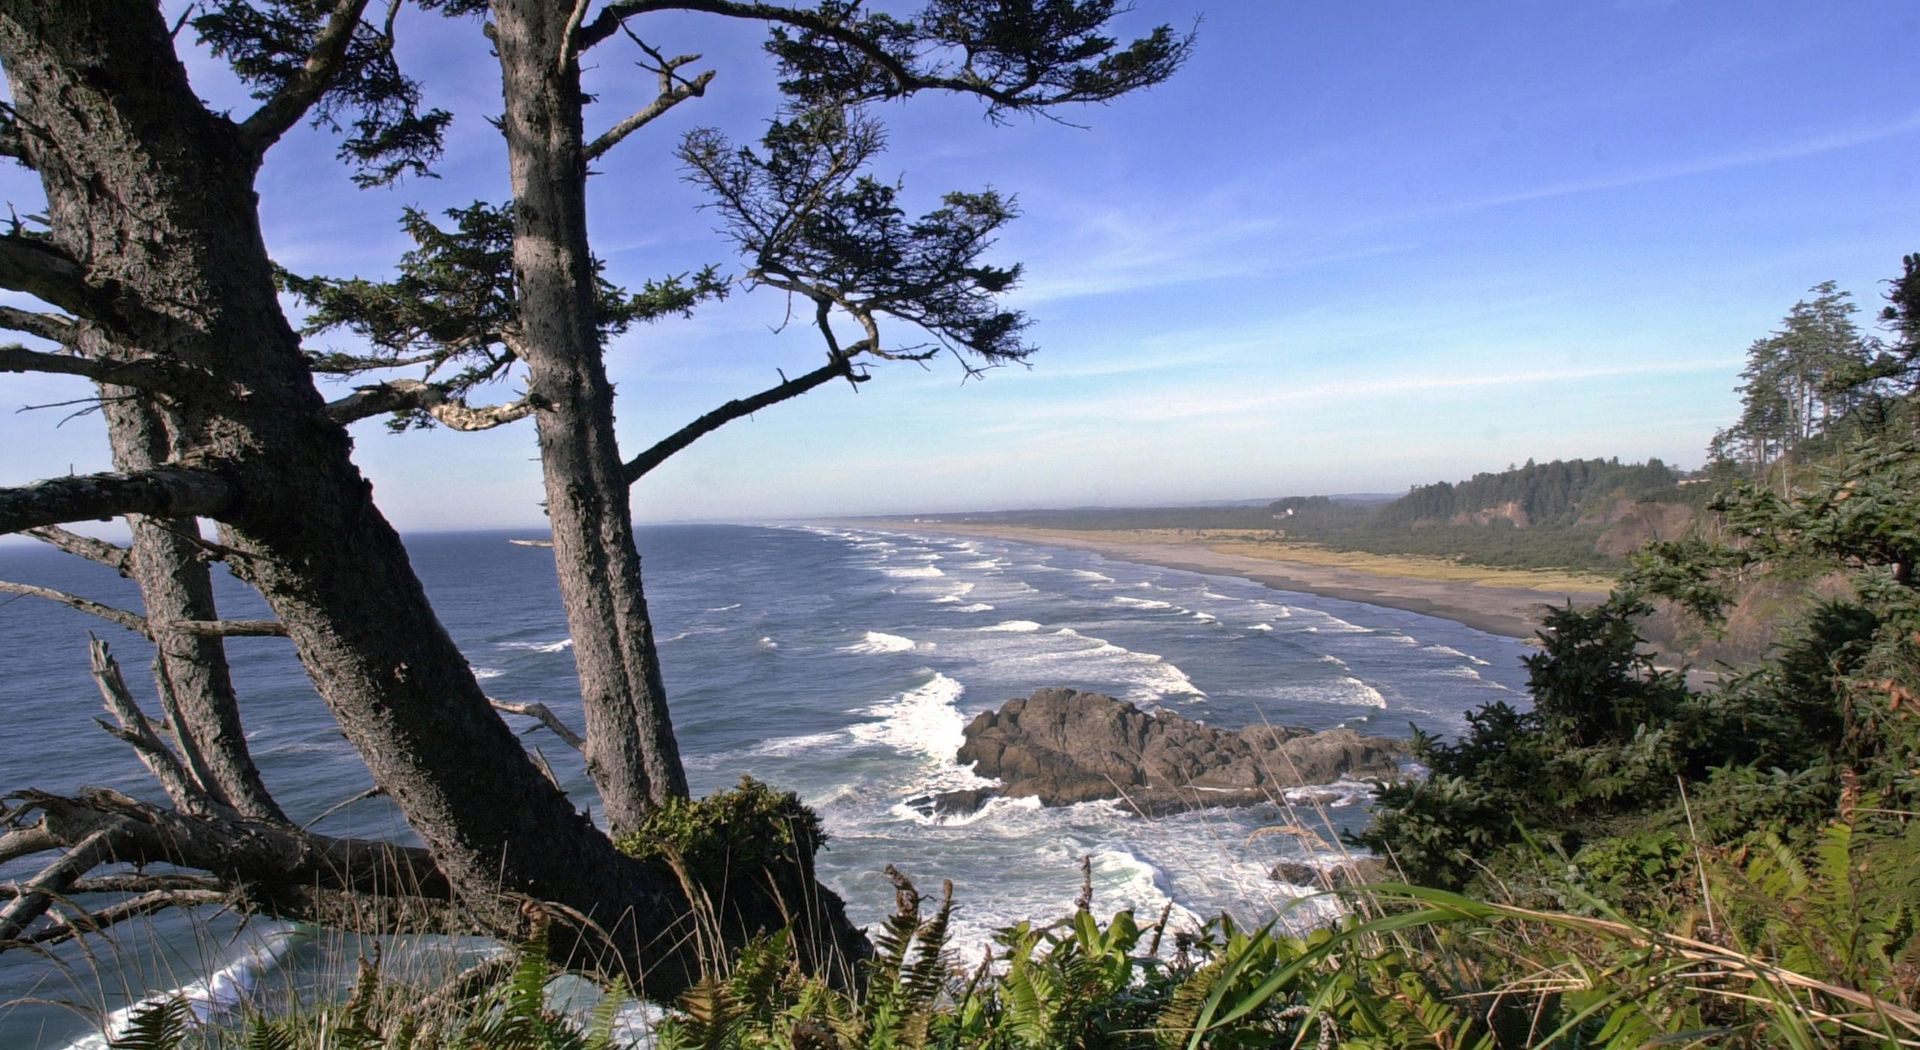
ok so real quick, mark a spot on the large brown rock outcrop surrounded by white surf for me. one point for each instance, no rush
(1063, 748)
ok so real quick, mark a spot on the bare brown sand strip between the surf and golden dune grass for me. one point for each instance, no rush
(1504, 611)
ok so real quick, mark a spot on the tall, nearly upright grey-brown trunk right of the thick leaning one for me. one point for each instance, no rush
(631, 740)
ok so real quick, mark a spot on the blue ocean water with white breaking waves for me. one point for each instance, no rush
(840, 663)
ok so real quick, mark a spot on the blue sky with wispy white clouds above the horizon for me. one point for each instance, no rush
(1349, 249)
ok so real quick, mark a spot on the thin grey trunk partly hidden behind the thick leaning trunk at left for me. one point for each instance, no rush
(176, 585)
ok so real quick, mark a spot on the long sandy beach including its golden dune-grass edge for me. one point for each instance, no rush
(1497, 602)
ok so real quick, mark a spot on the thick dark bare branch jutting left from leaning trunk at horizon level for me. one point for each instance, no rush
(164, 492)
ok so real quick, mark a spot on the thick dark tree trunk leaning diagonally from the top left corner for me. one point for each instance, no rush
(155, 199)
